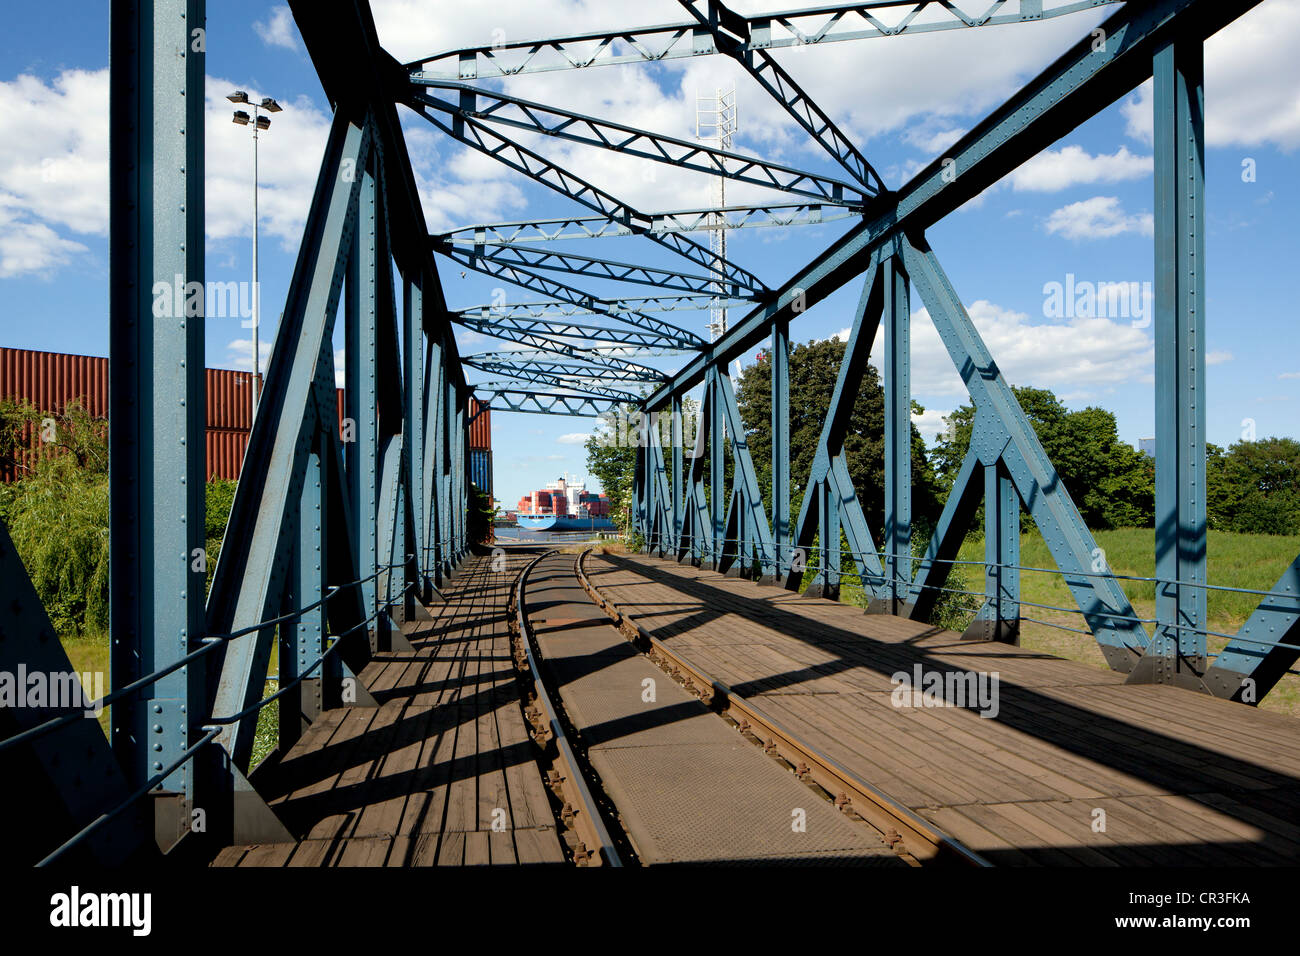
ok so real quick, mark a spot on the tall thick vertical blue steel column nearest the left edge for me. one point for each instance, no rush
(157, 390)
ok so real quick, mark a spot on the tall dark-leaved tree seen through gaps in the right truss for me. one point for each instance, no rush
(814, 369)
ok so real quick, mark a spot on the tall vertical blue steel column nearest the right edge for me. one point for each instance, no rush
(1178, 652)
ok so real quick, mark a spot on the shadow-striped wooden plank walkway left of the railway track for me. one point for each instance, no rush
(441, 773)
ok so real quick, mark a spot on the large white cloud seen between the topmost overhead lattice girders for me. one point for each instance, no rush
(926, 109)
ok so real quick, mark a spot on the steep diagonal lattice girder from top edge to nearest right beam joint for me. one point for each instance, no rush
(731, 36)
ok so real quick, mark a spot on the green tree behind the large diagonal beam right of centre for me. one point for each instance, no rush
(1112, 483)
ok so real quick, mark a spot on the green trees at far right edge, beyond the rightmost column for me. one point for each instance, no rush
(1255, 487)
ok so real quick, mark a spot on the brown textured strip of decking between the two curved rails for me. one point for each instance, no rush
(686, 786)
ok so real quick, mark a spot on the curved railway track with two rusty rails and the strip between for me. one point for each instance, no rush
(614, 804)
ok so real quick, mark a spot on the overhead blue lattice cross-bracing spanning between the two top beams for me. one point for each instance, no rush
(519, 253)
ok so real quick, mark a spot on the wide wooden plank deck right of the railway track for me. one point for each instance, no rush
(1076, 768)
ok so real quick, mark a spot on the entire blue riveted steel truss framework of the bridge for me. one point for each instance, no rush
(333, 546)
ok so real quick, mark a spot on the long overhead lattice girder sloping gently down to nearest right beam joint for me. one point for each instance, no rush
(683, 154)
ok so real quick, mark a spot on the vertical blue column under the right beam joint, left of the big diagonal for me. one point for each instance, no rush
(898, 374)
